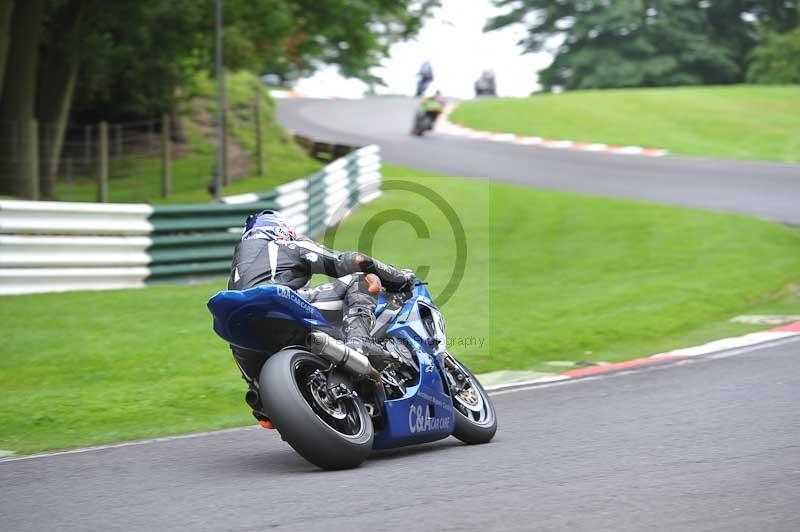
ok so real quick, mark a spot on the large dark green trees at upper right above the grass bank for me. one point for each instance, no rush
(602, 44)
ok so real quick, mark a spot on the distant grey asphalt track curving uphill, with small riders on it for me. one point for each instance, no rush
(766, 190)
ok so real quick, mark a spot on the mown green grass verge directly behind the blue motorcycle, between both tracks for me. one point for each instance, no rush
(549, 276)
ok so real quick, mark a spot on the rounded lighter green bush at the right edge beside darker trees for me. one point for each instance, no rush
(777, 60)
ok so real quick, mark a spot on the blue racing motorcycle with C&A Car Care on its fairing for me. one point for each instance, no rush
(332, 404)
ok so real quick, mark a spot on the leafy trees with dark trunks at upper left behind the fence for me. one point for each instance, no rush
(126, 59)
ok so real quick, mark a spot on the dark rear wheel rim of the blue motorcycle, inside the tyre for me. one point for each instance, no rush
(341, 414)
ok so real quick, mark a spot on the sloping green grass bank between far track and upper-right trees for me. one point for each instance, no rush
(736, 122)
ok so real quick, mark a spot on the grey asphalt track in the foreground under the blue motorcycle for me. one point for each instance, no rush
(703, 445)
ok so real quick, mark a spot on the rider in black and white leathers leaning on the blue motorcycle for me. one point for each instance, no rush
(271, 252)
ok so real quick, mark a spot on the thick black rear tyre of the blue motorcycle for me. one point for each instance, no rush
(300, 425)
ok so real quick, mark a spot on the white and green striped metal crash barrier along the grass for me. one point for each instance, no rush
(54, 246)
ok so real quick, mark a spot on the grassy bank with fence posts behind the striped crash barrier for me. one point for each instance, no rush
(191, 169)
